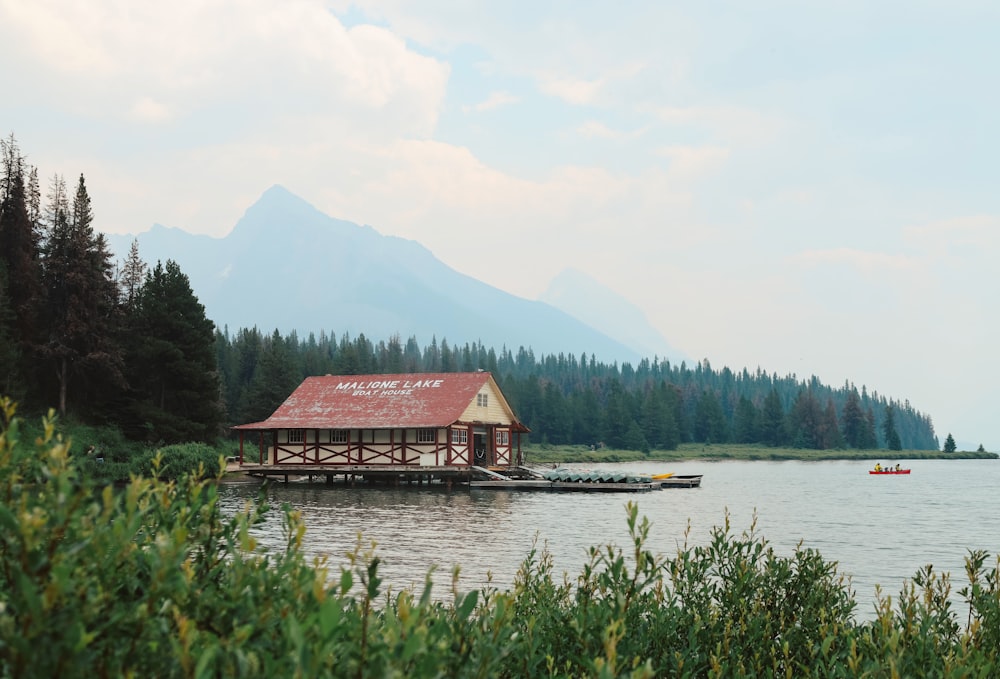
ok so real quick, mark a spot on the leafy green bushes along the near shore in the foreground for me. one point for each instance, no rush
(154, 580)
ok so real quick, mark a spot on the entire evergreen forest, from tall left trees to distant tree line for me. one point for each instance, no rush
(127, 344)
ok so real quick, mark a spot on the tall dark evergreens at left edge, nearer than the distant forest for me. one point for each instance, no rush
(127, 347)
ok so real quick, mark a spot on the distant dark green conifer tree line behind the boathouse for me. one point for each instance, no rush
(566, 399)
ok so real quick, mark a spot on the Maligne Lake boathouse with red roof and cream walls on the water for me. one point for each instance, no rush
(434, 425)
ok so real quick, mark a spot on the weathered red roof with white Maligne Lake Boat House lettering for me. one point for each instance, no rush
(379, 401)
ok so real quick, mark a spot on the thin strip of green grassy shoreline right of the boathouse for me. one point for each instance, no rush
(547, 454)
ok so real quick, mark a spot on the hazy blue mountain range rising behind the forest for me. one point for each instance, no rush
(287, 266)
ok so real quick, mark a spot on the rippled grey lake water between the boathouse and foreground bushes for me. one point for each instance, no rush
(880, 529)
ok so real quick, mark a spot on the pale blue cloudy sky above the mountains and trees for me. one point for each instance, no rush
(807, 187)
